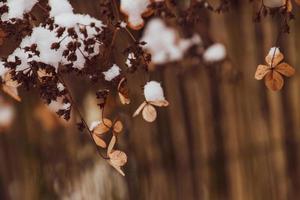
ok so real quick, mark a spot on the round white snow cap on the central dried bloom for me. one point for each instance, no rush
(153, 91)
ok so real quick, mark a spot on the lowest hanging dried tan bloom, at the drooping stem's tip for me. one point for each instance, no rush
(117, 158)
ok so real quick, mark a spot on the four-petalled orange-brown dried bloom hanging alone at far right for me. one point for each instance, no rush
(274, 71)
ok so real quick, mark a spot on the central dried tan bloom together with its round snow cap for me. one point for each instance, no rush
(154, 96)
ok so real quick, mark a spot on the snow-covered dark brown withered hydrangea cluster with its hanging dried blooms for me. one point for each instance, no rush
(61, 43)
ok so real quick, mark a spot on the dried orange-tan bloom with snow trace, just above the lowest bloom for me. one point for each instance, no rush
(100, 128)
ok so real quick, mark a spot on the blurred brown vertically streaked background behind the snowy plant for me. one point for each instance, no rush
(224, 135)
